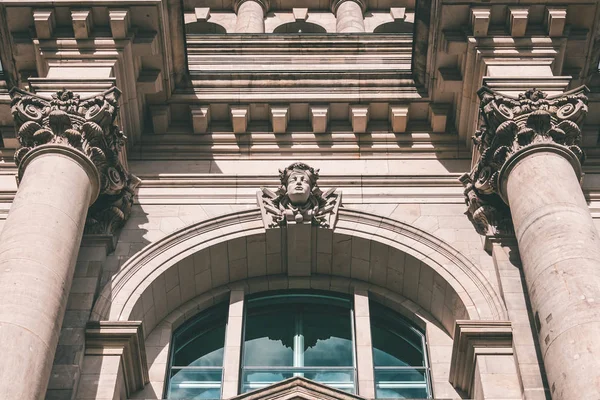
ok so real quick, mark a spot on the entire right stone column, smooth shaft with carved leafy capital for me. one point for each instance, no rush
(530, 159)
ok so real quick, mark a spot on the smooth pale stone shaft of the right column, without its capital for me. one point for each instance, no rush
(560, 251)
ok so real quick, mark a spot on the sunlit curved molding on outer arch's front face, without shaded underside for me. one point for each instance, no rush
(470, 289)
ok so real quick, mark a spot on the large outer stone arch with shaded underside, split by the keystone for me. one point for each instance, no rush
(377, 250)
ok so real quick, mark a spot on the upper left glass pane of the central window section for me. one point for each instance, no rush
(269, 338)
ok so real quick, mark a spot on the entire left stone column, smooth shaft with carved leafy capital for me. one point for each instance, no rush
(69, 160)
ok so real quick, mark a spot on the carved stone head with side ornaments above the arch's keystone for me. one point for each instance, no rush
(299, 200)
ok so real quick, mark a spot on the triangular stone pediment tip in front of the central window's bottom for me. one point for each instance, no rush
(297, 388)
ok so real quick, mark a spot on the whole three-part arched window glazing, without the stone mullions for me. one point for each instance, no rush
(289, 334)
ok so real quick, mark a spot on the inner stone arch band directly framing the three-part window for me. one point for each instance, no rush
(159, 340)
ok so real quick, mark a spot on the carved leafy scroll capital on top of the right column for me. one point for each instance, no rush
(509, 126)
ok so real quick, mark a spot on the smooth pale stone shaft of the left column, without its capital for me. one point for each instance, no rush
(38, 249)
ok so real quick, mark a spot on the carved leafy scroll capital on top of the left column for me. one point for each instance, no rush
(87, 125)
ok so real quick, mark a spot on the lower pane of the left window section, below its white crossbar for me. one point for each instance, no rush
(195, 384)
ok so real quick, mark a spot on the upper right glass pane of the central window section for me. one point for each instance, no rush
(327, 338)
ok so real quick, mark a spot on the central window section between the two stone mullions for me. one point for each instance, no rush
(307, 335)
